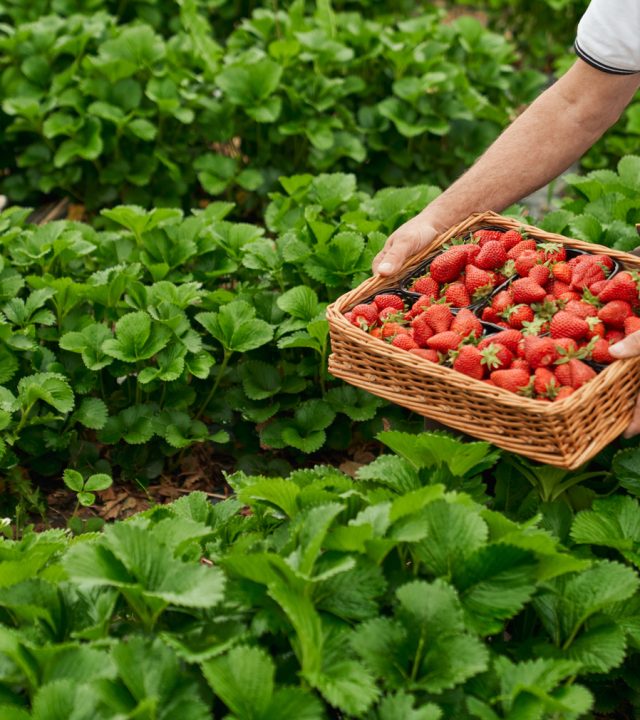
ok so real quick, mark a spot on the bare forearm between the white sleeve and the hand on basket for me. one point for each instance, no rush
(539, 145)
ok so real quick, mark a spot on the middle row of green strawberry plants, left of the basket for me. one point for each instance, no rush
(160, 331)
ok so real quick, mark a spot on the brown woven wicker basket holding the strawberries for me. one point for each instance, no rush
(566, 433)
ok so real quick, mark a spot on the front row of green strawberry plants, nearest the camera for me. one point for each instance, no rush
(396, 596)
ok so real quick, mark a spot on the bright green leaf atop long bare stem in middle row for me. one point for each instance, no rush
(236, 327)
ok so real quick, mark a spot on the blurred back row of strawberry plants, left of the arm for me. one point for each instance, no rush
(109, 111)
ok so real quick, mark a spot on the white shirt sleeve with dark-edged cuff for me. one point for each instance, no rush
(608, 36)
